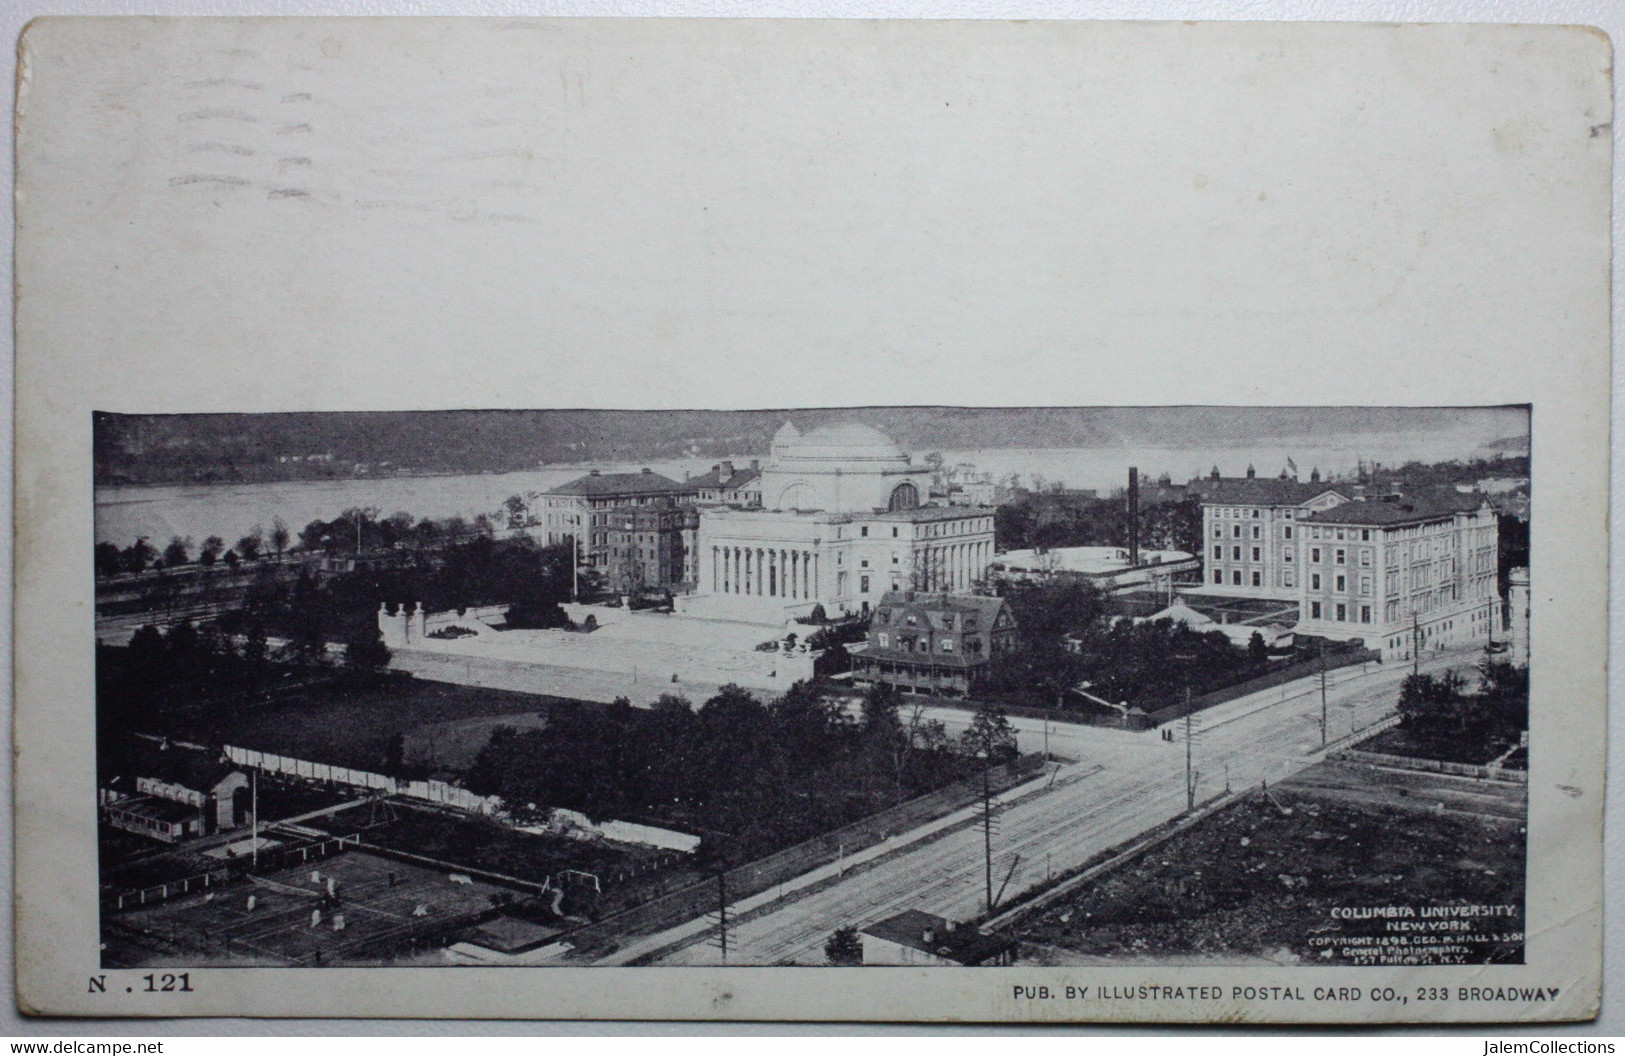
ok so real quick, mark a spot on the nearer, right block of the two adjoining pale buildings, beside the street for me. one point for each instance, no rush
(1403, 573)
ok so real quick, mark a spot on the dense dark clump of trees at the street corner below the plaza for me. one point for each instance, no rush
(756, 776)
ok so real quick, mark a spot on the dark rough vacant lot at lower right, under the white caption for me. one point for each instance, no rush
(1267, 878)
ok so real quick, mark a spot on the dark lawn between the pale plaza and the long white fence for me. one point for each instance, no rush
(352, 725)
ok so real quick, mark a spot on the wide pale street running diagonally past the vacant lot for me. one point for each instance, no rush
(1120, 786)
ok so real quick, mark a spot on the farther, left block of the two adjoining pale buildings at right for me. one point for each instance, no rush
(1252, 532)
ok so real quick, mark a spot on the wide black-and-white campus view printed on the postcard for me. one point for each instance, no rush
(1171, 686)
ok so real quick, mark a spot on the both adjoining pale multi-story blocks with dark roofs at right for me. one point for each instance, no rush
(1398, 573)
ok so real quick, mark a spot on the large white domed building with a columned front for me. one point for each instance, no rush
(844, 522)
